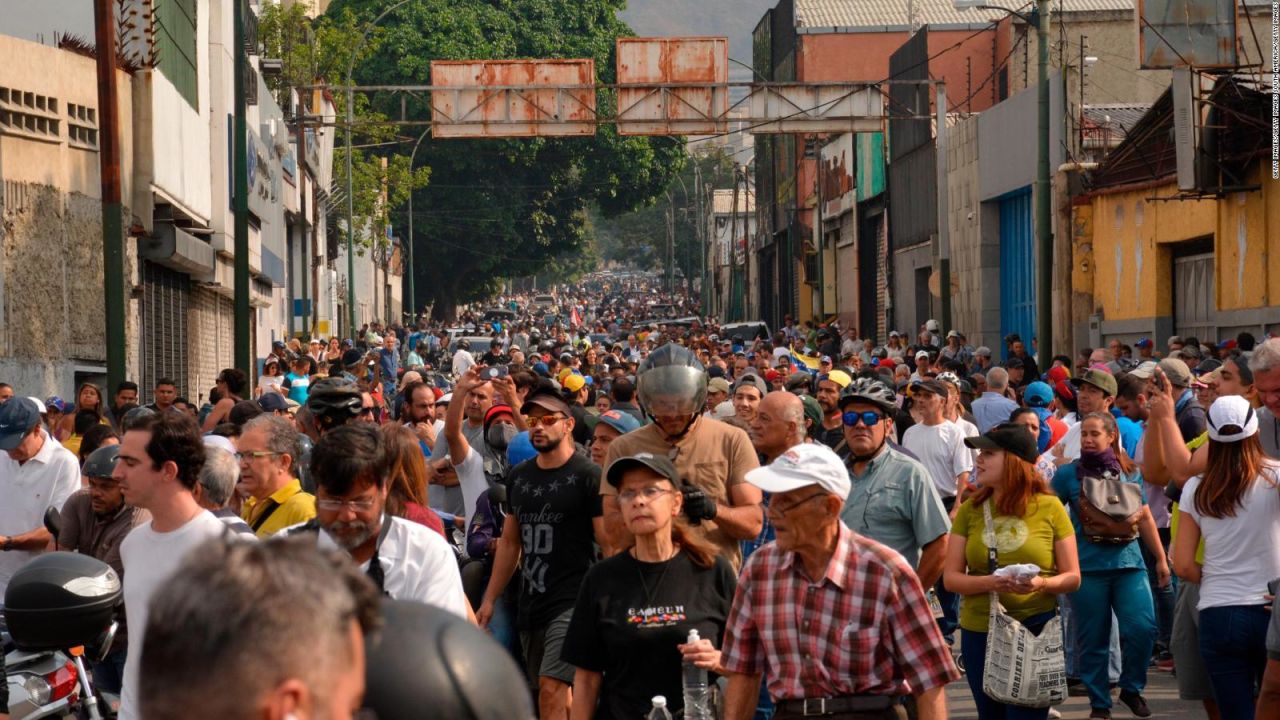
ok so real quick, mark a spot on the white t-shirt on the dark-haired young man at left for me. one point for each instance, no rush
(150, 559)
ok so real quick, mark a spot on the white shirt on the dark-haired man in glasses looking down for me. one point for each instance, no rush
(418, 566)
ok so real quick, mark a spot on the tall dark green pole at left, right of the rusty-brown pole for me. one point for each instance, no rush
(244, 353)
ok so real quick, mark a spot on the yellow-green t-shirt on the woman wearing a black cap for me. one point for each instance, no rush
(1018, 540)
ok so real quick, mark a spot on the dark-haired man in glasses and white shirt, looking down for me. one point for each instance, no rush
(351, 467)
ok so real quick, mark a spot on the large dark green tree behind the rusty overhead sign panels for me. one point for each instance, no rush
(509, 208)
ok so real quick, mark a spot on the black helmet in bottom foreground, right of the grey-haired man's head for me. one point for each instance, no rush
(428, 663)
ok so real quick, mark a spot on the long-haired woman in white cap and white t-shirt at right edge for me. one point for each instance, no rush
(1236, 508)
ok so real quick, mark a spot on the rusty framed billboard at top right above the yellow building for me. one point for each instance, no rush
(1187, 34)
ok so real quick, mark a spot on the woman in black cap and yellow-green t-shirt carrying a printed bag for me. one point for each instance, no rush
(1031, 526)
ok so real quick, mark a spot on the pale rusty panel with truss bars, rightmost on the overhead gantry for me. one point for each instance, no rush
(807, 108)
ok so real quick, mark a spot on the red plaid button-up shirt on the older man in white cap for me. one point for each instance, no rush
(863, 628)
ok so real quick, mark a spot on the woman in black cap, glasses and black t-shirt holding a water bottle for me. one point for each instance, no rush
(629, 631)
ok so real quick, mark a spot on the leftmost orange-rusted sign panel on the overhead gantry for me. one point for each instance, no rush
(513, 98)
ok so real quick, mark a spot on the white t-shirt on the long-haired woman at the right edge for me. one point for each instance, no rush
(1242, 554)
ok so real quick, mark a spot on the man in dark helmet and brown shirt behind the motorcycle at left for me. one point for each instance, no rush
(95, 522)
